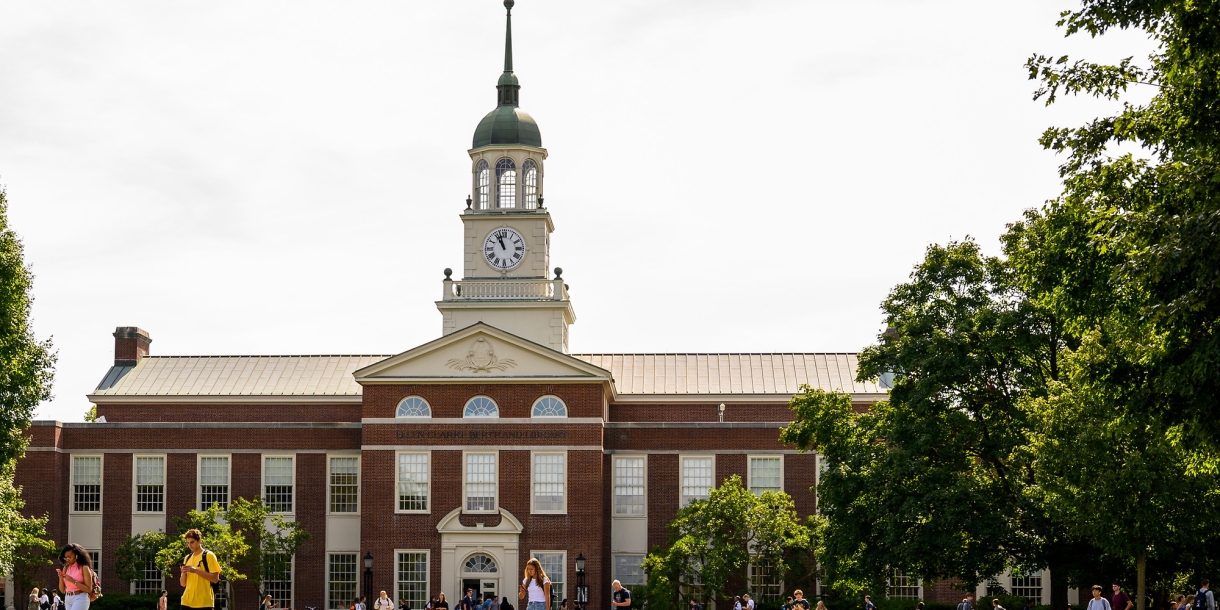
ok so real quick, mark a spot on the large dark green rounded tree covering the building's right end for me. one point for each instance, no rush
(936, 481)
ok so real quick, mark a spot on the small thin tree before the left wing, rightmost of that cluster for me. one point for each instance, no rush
(271, 548)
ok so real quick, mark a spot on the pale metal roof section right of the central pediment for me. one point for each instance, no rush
(730, 374)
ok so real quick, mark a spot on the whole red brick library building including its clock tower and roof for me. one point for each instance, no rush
(452, 463)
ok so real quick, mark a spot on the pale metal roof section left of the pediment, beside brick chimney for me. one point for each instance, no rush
(237, 376)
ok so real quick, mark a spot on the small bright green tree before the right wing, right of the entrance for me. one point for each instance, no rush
(714, 541)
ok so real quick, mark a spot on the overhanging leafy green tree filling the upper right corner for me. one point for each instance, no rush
(1158, 210)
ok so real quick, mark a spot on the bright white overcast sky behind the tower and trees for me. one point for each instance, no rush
(273, 178)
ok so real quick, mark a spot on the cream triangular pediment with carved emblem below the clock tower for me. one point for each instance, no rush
(480, 352)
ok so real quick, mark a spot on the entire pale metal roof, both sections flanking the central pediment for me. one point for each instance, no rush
(634, 374)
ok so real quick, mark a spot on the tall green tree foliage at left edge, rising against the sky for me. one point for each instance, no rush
(27, 367)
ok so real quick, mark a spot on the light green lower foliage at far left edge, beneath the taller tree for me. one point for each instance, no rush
(26, 546)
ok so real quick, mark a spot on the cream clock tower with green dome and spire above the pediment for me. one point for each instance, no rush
(507, 229)
